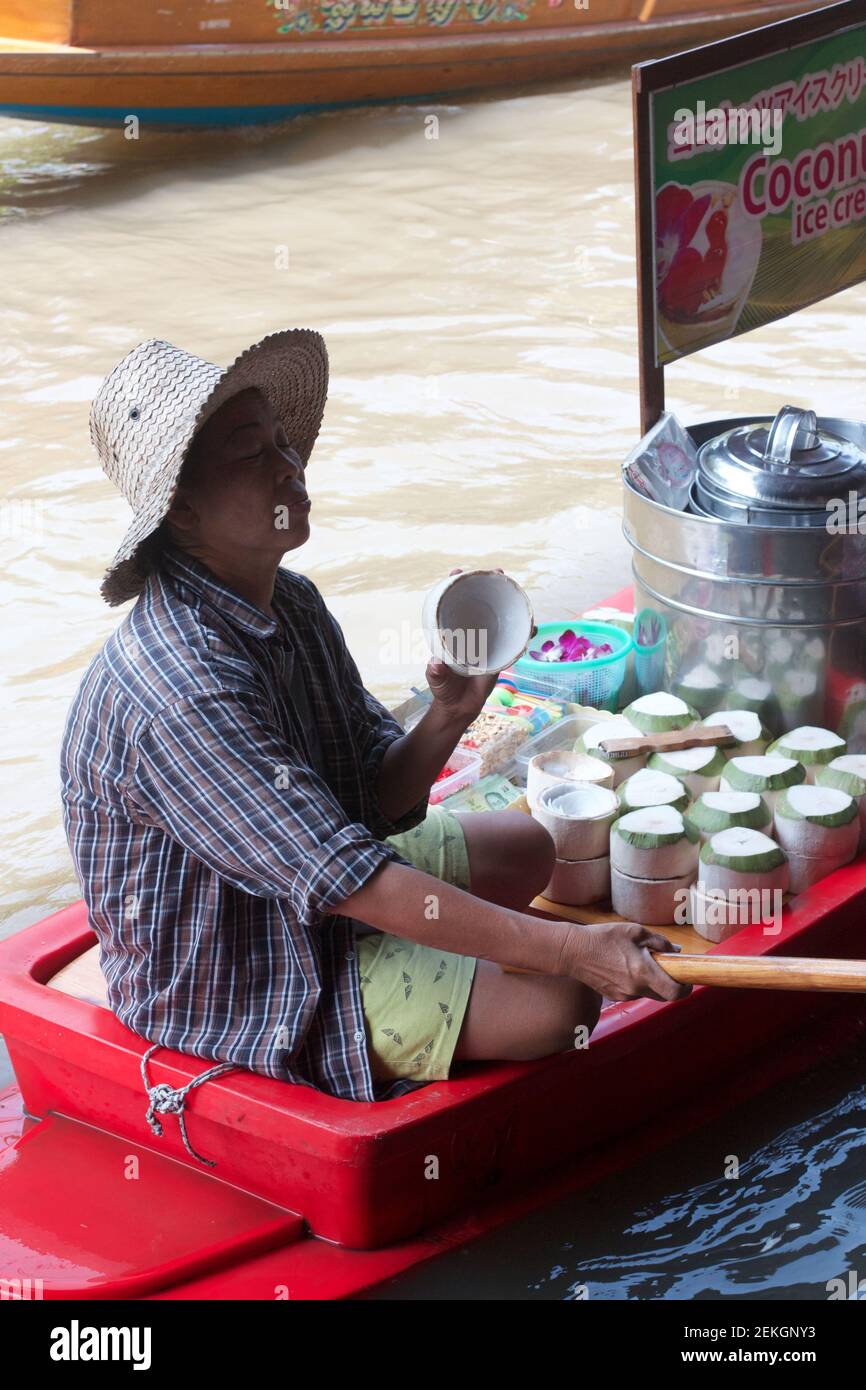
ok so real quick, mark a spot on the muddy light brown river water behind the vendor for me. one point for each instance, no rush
(477, 295)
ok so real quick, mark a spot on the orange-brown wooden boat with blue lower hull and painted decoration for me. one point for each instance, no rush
(102, 62)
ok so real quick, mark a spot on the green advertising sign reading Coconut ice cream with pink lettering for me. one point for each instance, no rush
(751, 179)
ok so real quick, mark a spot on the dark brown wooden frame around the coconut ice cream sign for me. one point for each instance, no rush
(661, 74)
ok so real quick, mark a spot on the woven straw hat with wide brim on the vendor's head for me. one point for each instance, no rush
(149, 409)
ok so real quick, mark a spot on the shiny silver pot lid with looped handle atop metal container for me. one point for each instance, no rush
(783, 465)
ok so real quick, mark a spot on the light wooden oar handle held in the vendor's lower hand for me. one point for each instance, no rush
(764, 972)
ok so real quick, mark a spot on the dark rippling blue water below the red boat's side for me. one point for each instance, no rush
(679, 1229)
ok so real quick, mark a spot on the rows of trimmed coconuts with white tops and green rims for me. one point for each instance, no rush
(703, 826)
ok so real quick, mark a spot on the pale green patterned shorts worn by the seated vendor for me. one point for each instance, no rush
(415, 997)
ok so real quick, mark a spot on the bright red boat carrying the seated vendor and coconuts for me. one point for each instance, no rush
(326, 1197)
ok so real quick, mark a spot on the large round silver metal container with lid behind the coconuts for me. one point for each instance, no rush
(760, 591)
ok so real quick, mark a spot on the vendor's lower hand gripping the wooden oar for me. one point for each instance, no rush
(615, 960)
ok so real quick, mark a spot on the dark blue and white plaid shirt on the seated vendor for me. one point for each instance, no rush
(211, 849)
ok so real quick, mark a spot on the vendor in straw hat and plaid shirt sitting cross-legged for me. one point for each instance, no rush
(250, 825)
